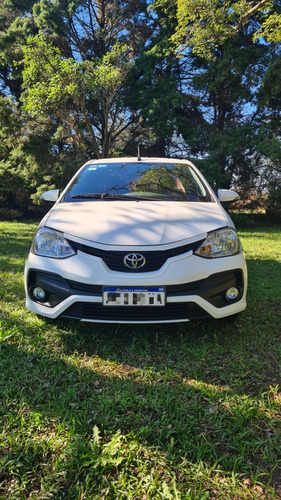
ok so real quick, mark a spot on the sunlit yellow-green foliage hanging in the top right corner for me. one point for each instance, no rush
(206, 25)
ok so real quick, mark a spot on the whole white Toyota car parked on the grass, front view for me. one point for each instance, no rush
(136, 241)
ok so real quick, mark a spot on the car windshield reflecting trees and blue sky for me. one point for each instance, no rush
(137, 180)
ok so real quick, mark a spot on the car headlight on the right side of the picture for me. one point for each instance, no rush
(221, 243)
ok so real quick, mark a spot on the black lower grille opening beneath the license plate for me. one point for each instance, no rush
(169, 312)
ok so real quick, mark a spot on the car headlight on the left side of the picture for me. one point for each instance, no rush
(49, 243)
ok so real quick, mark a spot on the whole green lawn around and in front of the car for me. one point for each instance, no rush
(184, 411)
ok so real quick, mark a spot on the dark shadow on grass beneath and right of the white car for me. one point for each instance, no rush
(244, 354)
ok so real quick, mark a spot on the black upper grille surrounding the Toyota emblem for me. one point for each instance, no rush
(154, 259)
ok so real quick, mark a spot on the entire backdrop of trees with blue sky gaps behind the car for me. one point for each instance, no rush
(94, 78)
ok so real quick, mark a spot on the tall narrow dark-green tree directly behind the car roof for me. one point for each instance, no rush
(154, 89)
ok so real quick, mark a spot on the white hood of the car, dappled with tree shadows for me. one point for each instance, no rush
(135, 223)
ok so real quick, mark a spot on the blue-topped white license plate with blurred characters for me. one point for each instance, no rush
(133, 296)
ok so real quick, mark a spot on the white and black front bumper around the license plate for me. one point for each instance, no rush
(195, 288)
